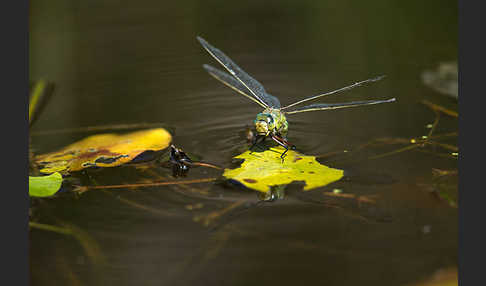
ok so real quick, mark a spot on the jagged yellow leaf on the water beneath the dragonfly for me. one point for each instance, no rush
(262, 170)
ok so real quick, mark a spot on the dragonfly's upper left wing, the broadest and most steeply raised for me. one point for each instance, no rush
(245, 79)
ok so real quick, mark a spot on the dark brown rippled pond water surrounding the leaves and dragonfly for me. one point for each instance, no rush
(131, 62)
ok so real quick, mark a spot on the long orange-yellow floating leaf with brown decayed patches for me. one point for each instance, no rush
(104, 150)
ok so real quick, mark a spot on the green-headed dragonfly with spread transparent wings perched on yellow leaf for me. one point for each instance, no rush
(272, 121)
